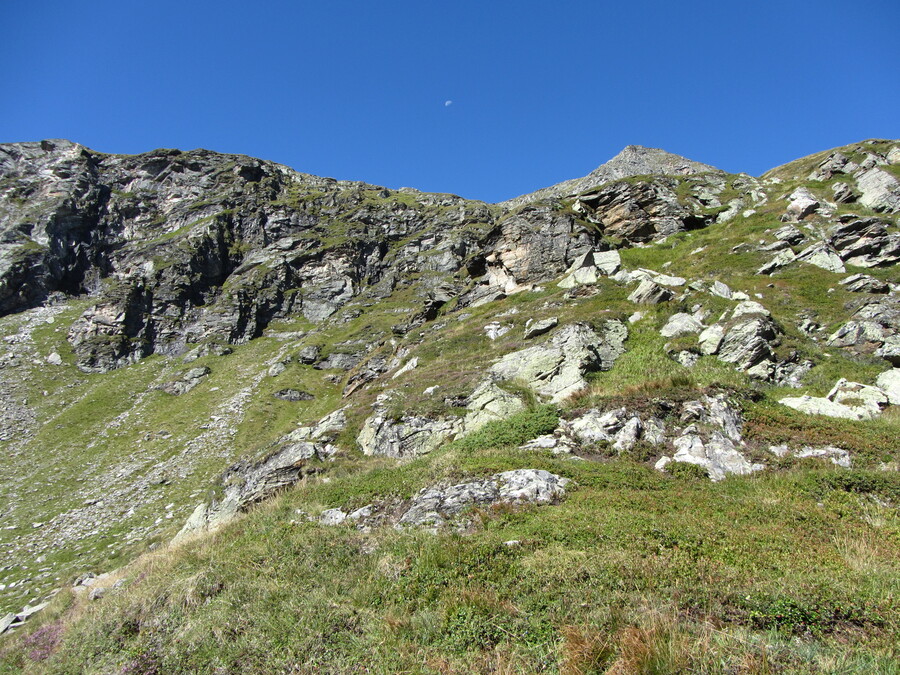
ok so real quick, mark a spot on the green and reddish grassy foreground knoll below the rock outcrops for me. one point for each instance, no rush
(616, 573)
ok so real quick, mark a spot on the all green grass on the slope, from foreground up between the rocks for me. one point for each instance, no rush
(633, 565)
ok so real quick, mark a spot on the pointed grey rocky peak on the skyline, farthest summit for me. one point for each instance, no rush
(633, 160)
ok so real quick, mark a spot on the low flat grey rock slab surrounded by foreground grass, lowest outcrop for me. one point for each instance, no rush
(435, 505)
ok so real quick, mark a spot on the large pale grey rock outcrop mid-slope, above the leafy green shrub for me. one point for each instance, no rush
(556, 370)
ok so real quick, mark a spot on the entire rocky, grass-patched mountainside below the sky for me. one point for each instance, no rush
(255, 420)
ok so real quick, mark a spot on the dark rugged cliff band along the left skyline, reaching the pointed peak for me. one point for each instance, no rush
(184, 247)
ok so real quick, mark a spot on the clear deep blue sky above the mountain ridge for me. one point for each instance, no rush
(540, 91)
